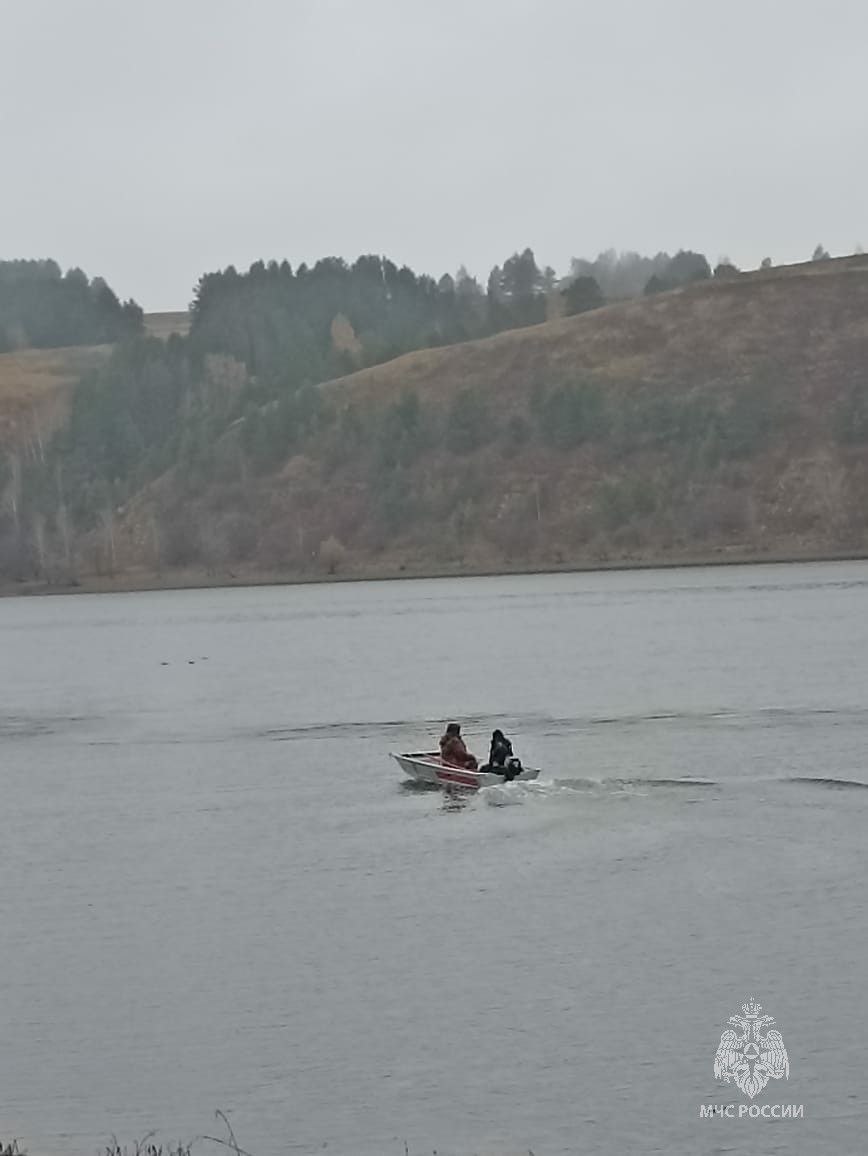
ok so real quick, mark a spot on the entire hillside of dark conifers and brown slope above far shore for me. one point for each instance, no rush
(291, 434)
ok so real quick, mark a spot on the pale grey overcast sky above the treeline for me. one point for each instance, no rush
(151, 143)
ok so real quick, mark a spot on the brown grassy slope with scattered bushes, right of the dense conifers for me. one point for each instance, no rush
(726, 420)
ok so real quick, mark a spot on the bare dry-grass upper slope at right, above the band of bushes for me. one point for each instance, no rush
(769, 324)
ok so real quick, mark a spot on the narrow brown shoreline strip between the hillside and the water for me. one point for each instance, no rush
(145, 582)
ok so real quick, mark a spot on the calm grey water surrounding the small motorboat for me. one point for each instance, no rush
(216, 893)
